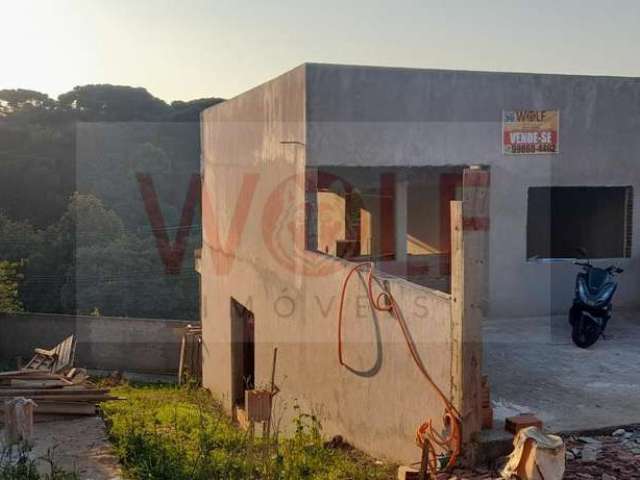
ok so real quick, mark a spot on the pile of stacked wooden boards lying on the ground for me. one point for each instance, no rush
(55, 395)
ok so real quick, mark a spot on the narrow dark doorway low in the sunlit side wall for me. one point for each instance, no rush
(242, 351)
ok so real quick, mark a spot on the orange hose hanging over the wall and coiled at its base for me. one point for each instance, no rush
(451, 418)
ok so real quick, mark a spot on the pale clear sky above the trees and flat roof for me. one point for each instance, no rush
(184, 49)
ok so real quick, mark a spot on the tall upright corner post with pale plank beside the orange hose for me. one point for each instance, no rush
(469, 292)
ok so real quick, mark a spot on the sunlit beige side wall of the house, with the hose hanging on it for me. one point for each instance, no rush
(258, 258)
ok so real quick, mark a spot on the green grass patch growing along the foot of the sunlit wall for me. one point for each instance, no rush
(165, 432)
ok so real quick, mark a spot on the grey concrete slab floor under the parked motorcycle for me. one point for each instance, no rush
(534, 367)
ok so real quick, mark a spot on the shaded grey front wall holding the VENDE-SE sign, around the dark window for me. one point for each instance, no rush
(368, 116)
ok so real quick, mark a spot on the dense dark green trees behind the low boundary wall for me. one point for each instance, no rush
(74, 232)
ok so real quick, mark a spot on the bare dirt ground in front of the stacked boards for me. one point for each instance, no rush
(79, 445)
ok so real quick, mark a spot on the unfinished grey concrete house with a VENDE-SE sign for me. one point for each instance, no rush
(369, 222)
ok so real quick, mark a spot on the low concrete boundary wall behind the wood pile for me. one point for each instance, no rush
(104, 343)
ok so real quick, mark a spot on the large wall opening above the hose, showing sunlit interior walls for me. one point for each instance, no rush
(398, 218)
